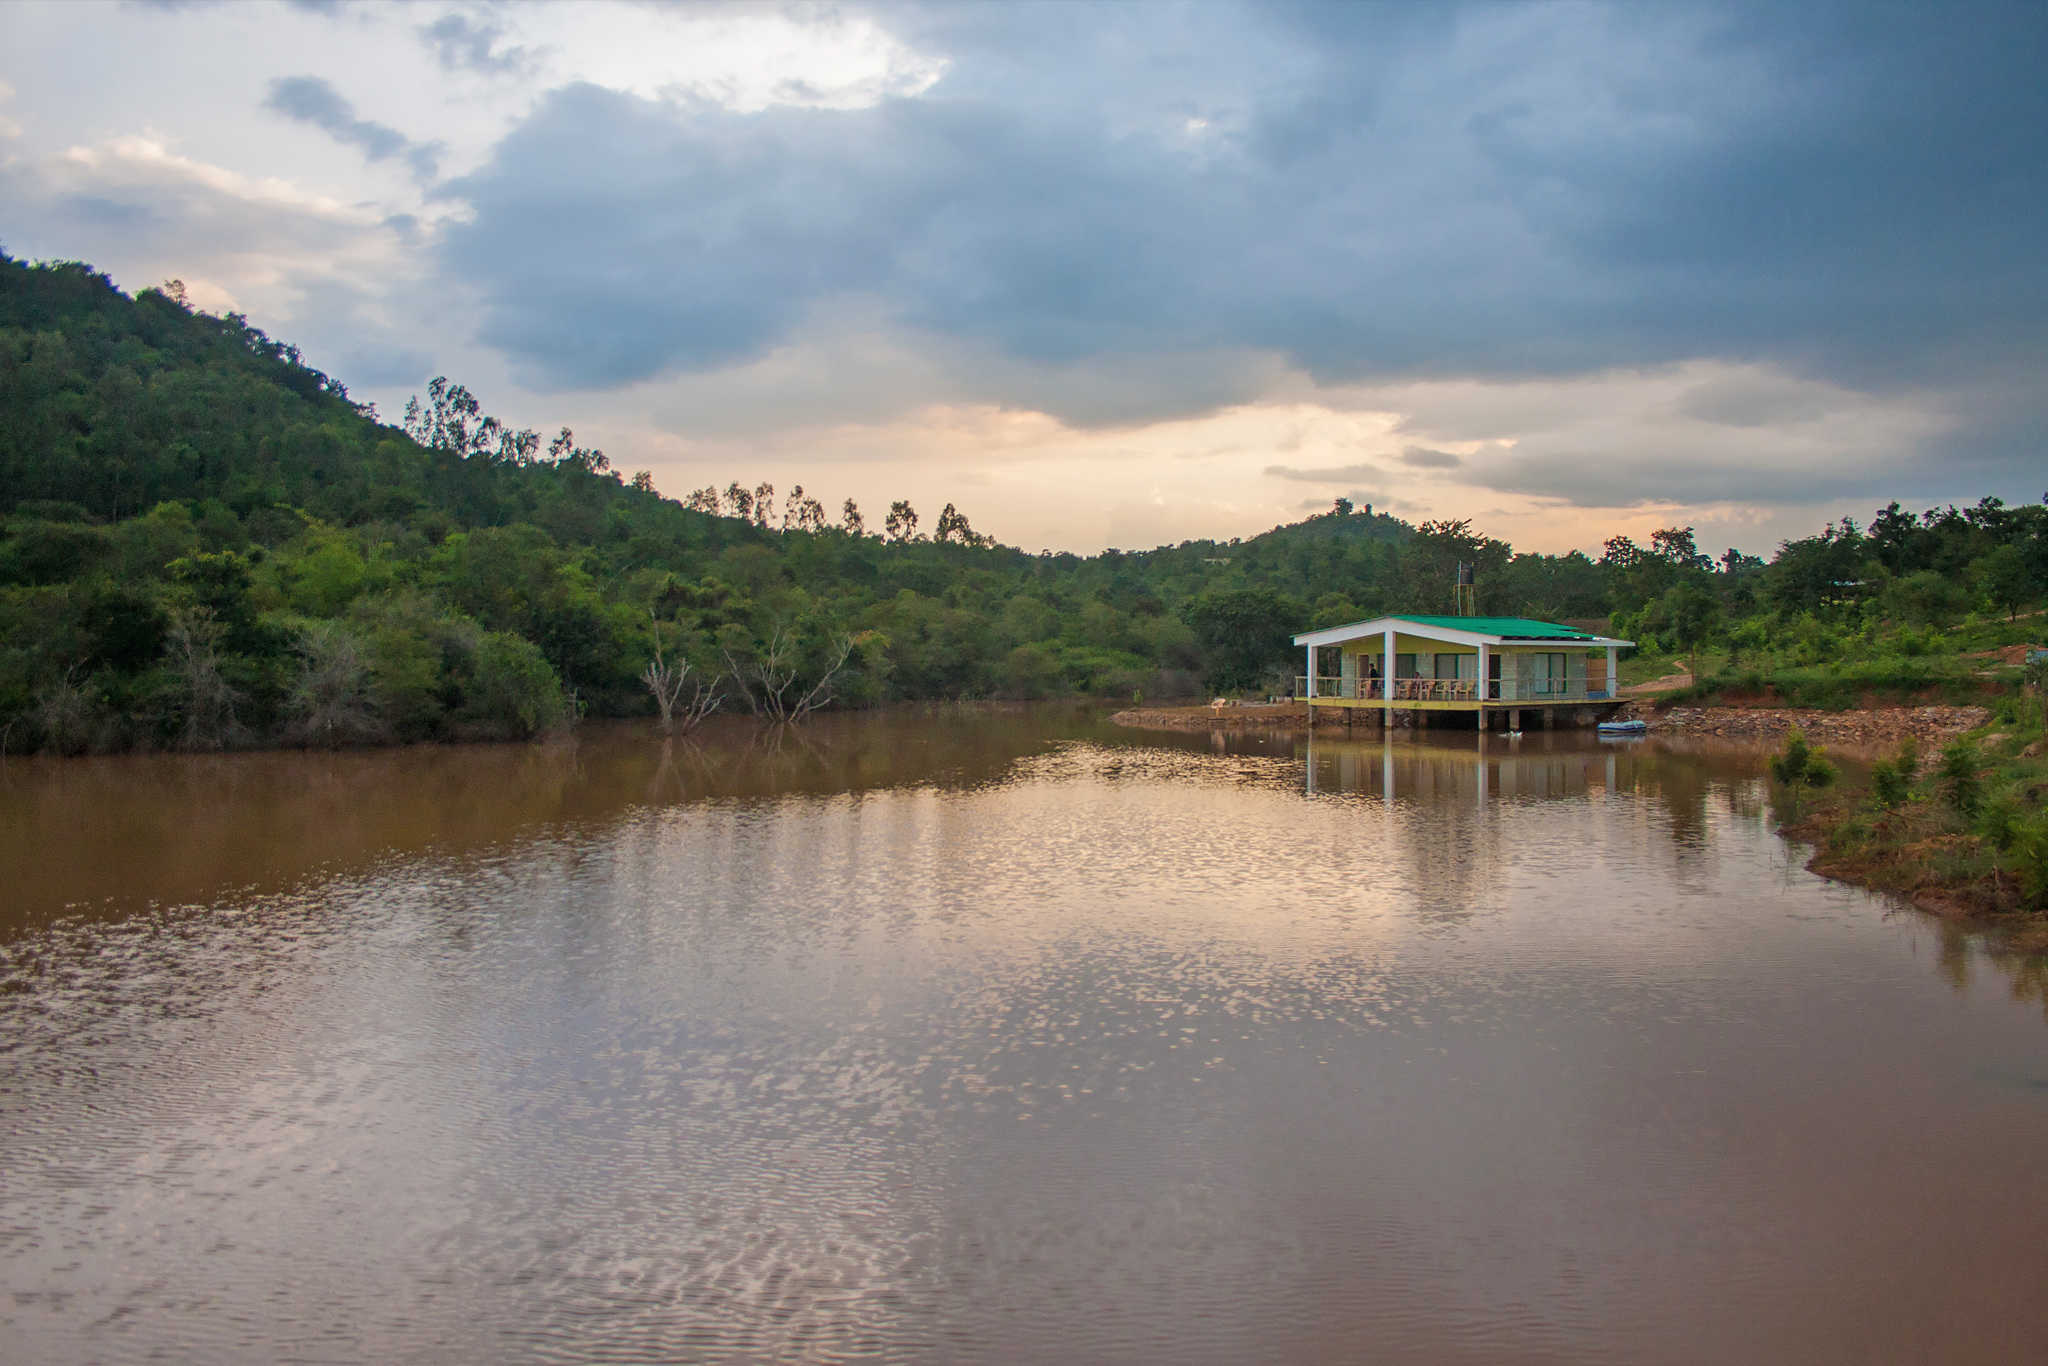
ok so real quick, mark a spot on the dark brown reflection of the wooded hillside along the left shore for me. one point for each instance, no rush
(128, 830)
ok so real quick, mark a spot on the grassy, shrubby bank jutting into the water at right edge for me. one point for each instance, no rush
(1961, 833)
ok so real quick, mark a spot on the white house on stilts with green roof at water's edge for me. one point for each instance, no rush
(1500, 671)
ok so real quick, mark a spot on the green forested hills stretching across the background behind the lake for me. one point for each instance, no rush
(204, 542)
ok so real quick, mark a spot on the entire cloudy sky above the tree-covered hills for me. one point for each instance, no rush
(1115, 273)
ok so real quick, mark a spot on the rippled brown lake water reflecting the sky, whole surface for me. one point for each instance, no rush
(992, 1035)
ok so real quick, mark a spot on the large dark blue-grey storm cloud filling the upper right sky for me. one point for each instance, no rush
(1369, 191)
